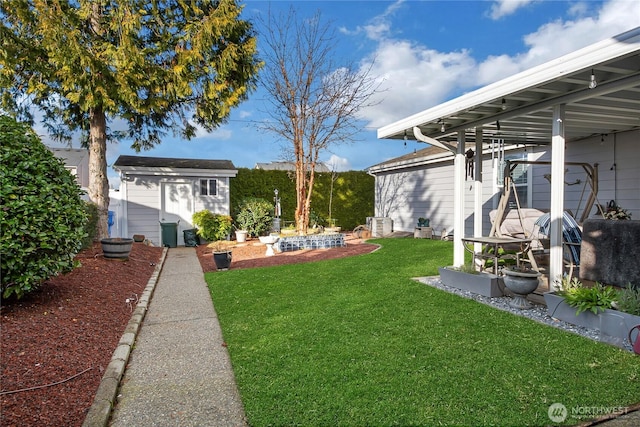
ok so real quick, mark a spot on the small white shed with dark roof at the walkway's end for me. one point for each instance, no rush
(156, 190)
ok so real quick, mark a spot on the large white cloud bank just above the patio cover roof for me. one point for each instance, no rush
(414, 77)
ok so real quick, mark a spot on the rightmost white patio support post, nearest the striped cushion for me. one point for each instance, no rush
(557, 196)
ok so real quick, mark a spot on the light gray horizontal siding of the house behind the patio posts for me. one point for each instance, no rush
(427, 191)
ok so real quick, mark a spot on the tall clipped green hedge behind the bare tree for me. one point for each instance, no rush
(353, 194)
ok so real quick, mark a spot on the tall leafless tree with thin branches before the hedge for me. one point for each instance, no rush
(314, 102)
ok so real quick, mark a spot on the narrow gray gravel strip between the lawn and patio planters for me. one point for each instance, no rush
(538, 312)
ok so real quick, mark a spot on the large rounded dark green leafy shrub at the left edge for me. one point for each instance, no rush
(43, 216)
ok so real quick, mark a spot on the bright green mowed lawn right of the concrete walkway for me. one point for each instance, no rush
(356, 342)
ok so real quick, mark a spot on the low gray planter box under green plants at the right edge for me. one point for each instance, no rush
(612, 323)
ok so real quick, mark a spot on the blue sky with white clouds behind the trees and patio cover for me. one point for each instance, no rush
(423, 53)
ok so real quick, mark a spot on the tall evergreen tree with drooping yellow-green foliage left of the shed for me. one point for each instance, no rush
(159, 66)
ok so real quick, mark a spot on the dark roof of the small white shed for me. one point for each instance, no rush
(174, 166)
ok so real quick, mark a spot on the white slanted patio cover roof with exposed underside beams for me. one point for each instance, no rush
(529, 97)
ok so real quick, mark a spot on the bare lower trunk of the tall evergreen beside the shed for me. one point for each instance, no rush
(98, 181)
